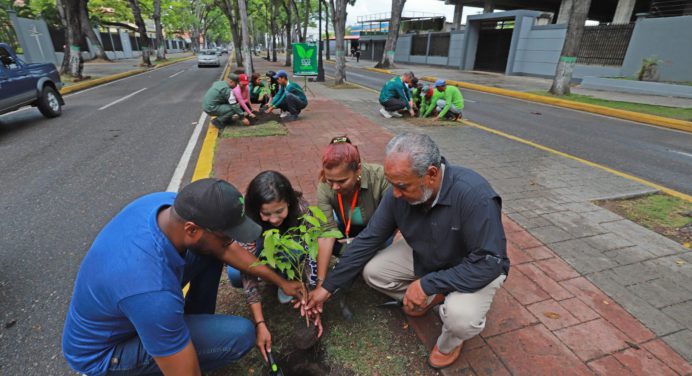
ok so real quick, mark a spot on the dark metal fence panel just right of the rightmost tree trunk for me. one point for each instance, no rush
(604, 44)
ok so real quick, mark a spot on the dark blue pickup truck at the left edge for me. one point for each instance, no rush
(23, 84)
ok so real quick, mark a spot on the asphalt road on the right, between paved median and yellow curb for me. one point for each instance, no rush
(656, 154)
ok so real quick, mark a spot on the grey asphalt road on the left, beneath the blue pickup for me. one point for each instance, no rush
(62, 179)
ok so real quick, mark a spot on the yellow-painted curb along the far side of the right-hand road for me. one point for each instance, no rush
(660, 121)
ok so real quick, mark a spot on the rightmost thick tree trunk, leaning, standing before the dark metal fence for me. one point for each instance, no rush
(579, 10)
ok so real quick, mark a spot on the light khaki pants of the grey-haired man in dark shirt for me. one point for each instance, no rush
(463, 315)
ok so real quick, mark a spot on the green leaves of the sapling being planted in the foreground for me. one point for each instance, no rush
(287, 251)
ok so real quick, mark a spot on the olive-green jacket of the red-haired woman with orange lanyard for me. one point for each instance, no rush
(372, 188)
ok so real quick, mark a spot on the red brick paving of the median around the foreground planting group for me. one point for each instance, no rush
(547, 318)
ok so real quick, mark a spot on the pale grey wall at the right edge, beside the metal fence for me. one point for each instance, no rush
(669, 39)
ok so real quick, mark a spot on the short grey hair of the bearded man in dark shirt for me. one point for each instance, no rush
(420, 148)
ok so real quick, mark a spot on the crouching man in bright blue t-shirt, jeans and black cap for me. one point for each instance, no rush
(128, 313)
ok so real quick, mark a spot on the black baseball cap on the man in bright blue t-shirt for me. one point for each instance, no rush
(216, 205)
